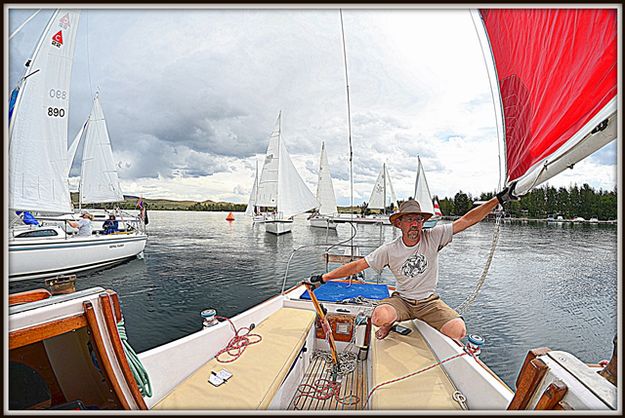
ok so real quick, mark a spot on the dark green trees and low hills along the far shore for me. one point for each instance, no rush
(540, 203)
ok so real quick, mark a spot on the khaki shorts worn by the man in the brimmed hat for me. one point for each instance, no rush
(432, 309)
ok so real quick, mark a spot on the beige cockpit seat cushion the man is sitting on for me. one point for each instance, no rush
(399, 355)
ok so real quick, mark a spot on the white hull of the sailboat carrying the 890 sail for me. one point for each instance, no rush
(33, 259)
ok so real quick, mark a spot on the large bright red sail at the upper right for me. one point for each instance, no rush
(556, 70)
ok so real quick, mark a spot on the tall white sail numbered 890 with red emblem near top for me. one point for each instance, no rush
(38, 127)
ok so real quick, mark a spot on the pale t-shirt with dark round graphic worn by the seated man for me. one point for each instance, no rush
(415, 268)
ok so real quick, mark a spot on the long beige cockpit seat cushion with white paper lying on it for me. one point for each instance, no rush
(256, 375)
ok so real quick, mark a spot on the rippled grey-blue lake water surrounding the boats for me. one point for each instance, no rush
(549, 285)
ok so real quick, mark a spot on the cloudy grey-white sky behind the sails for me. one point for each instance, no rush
(191, 96)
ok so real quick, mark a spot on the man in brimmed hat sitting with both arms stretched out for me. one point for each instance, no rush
(413, 259)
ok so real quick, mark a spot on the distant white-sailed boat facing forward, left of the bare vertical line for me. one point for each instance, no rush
(281, 187)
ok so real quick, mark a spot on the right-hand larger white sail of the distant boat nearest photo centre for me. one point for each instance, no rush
(294, 197)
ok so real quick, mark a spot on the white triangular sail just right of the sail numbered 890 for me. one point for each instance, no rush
(98, 179)
